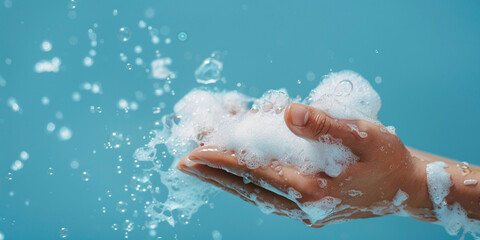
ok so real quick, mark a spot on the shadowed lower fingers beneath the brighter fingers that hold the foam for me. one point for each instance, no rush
(249, 192)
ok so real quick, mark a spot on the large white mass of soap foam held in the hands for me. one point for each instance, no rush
(257, 135)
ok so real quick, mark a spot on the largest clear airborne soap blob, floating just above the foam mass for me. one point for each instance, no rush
(210, 70)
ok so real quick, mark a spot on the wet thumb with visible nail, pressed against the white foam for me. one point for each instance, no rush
(310, 123)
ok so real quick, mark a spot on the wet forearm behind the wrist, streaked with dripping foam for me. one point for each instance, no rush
(464, 189)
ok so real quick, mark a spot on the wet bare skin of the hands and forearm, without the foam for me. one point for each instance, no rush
(385, 165)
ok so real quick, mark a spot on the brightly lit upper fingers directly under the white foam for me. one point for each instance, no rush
(279, 177)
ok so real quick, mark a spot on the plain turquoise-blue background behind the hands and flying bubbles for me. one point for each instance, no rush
(428, 58)
